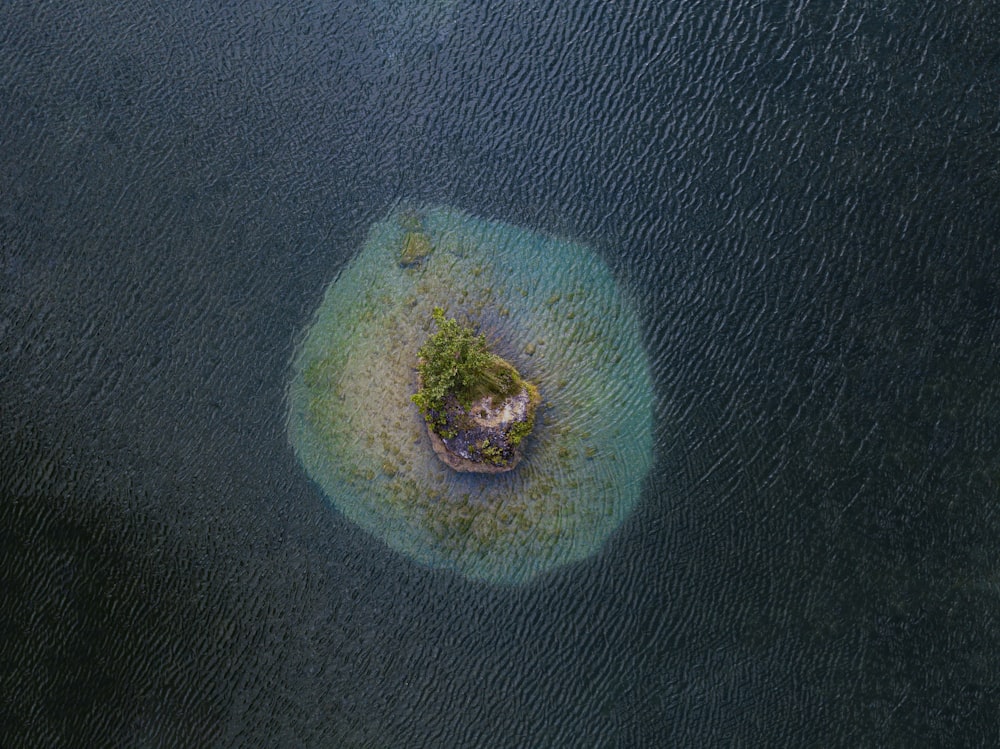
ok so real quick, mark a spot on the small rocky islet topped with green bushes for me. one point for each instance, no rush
(477, 407)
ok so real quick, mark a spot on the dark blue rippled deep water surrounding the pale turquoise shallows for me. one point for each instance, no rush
(802, 199)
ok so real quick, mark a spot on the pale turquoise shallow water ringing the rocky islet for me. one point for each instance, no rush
(550, 306)
